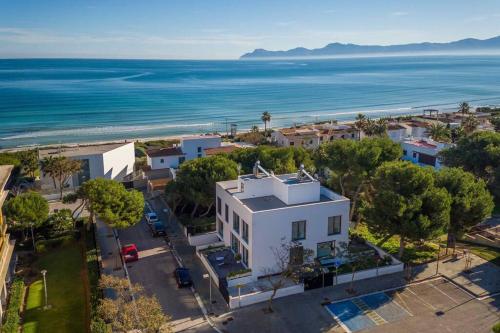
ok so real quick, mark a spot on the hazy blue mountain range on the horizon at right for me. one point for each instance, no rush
(336, 49)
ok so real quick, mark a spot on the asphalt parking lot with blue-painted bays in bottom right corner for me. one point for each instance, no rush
(432, 306)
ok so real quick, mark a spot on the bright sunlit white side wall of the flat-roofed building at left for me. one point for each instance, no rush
(119, 162)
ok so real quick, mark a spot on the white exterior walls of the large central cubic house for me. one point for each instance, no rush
(267, 228)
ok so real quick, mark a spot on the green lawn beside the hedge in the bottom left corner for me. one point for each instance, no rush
(66, 293)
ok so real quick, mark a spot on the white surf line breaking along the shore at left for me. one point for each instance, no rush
(101, 130)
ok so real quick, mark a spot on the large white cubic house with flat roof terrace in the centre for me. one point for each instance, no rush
(260, 211)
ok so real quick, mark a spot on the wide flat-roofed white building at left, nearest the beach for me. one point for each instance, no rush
(111, 161)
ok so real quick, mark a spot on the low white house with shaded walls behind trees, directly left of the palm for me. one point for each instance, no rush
(190, 147)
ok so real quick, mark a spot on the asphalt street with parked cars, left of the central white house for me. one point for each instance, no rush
(154, 271)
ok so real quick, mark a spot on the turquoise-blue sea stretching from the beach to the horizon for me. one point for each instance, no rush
(71, 100)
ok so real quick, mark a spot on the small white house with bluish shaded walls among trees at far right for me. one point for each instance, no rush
(423, 152)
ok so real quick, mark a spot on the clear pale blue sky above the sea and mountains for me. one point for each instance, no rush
(226, 29)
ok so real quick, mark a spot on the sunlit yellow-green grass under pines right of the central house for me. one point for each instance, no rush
(414, 253)
